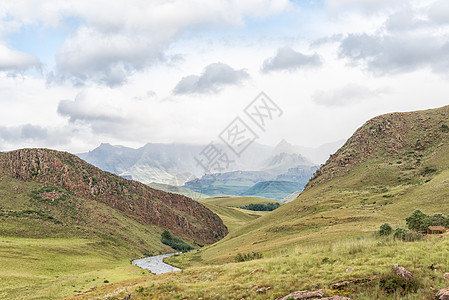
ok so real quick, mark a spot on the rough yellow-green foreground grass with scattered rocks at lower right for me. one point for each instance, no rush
(309, 267)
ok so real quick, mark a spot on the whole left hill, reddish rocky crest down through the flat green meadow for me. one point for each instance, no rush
(65, 224)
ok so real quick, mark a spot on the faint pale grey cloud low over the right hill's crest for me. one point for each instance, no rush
(345, 96)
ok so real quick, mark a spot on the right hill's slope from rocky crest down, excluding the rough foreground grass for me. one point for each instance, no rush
(392, 165)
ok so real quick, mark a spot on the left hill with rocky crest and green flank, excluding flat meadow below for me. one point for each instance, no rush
(58, 194)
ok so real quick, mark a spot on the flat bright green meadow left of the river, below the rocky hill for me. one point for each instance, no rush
(55, 268)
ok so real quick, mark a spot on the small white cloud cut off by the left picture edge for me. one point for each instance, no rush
(12, 60)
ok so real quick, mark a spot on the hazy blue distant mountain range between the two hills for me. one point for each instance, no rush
(171, 165)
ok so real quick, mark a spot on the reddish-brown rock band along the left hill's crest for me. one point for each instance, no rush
(179, 214)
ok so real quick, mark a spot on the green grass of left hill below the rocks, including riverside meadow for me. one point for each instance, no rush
(41, 259)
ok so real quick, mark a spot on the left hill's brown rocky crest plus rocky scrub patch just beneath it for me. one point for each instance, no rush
(69, 184)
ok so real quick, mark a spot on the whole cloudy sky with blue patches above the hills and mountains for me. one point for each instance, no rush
(74, 74)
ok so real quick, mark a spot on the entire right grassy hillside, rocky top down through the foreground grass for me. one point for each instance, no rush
(392, 165)
